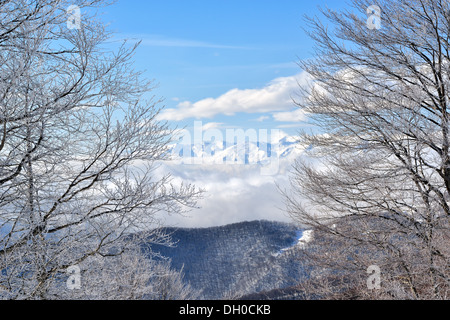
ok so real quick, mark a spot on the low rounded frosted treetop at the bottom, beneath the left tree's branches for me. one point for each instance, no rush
(129, 276)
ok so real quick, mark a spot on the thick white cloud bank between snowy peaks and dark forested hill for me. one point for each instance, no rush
(234, 193)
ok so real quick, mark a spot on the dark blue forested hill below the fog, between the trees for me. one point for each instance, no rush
(236, 260)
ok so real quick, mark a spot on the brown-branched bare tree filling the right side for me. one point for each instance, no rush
(376, 184)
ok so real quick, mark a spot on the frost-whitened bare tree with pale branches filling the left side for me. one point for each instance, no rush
(79, 146)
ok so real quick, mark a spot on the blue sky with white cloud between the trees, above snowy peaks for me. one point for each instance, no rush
(227, 63)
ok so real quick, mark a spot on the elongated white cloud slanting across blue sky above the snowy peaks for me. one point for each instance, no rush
(276, 96)
